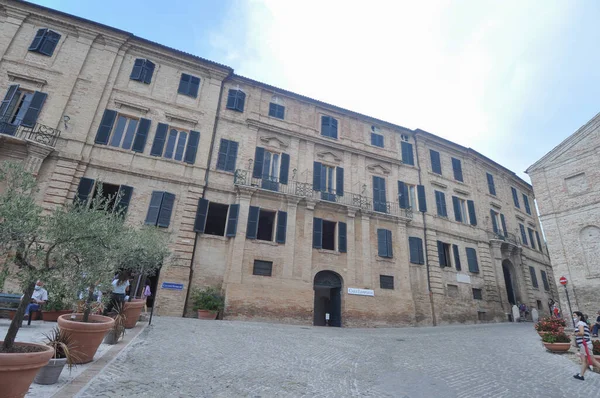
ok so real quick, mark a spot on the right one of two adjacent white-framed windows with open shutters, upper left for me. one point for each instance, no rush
(176, 144)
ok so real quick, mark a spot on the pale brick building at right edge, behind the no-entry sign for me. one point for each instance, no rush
(567, 185)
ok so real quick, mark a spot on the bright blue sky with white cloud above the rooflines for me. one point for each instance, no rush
(510, 79)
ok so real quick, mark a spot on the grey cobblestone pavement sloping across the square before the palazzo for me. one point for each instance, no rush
(178, 357)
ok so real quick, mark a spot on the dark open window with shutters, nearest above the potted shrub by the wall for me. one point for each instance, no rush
(216, 218)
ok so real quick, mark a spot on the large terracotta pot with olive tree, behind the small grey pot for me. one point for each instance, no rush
(87, 336)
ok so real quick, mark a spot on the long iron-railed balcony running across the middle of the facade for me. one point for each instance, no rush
(305, 190)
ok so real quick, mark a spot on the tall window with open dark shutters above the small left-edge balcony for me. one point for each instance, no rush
(20, 108)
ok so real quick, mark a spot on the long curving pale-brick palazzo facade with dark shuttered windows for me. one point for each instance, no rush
(302, 211)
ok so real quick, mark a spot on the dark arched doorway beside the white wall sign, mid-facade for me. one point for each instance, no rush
(328, 299)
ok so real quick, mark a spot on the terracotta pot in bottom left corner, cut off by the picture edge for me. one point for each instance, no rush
(18, 370)
